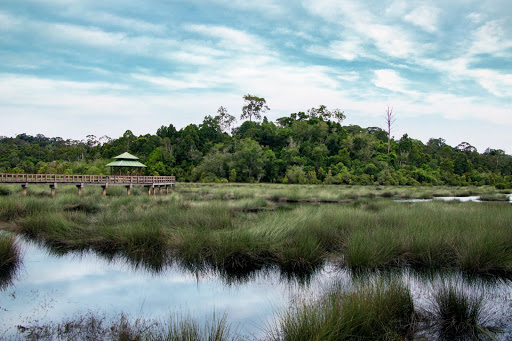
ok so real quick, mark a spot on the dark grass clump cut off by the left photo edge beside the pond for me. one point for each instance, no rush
(10, 258)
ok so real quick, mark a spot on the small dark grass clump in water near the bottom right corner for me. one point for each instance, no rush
(459, 314)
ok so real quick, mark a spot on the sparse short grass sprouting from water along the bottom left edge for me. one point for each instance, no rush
(92, 326)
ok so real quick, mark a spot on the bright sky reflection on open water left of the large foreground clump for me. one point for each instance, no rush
(55, 285)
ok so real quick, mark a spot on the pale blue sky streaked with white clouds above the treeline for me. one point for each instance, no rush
(71, 68)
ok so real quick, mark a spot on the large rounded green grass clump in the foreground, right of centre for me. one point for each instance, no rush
(382, 310)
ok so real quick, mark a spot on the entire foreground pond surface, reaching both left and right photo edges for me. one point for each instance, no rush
(49, 288)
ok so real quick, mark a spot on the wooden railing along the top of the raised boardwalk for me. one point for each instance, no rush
(86, 179)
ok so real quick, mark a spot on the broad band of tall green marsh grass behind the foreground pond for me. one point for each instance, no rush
(250, 233)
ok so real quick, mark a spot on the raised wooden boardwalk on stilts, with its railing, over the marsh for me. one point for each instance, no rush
(150, 182)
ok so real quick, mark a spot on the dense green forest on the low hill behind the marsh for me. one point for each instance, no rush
(304, 148)
